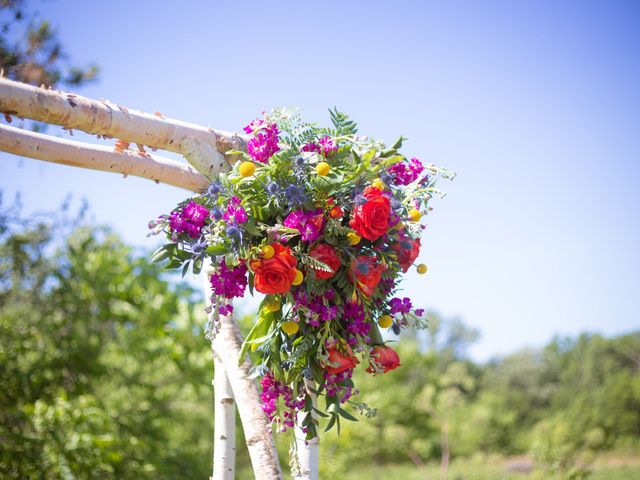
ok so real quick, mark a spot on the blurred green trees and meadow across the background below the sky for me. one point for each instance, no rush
(105, 373)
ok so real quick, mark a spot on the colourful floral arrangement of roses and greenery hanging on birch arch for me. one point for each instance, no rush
(324, 223)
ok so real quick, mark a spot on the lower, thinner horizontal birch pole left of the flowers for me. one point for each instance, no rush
(98, 157)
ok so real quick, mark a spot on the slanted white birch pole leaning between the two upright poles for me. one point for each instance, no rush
(226, 346)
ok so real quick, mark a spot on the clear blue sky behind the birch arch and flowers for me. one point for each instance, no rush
(536, 105)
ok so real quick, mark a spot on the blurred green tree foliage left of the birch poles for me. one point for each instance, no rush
(104, 371)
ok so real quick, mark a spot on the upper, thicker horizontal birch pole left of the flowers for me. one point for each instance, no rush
(108, 119)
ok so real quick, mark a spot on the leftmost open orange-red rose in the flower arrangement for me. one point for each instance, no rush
(274, 275)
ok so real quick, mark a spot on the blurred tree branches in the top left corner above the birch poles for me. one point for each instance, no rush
(30, 51)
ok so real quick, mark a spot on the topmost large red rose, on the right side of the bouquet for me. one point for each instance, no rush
(370, 219)
